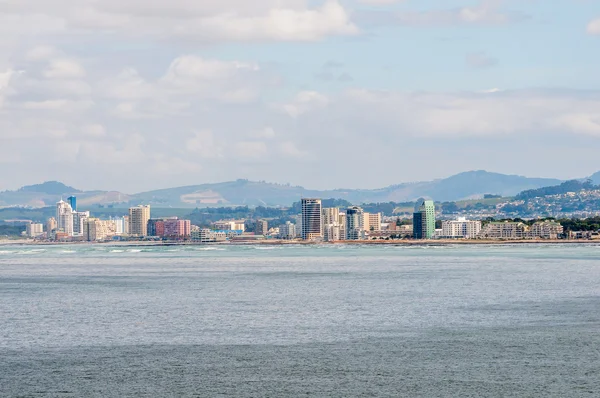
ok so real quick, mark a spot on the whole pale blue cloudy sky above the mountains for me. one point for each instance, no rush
(138, 95)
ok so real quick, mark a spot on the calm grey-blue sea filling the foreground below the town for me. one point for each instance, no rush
(331, 321)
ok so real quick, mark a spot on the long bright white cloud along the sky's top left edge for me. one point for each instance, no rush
(204, 21)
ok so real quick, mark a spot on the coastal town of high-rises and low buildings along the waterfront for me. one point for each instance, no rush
(315, 223)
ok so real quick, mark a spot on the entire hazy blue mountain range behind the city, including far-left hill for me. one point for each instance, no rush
(467, 185)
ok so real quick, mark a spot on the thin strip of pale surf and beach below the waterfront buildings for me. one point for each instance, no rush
(440, 242)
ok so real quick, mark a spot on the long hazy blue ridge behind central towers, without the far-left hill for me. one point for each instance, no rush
(470, 184)
